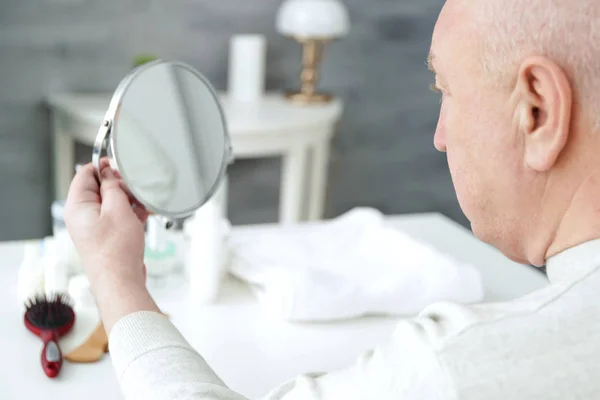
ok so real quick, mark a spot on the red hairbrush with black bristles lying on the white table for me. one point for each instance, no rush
(50, 317)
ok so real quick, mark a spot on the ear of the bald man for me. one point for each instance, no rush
(545, 111)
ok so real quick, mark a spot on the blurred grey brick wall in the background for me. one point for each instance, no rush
(382, 155)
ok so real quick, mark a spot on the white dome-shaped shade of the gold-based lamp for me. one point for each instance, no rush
(313, 18)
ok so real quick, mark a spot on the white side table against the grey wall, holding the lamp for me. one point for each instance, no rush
(271, 127)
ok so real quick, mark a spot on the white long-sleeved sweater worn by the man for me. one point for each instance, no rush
(545, 345)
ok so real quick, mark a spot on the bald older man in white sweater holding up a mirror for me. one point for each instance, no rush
(520, 124)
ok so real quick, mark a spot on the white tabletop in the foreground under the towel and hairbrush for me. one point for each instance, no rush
(251, 352)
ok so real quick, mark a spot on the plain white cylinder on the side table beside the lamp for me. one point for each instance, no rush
(247, 58)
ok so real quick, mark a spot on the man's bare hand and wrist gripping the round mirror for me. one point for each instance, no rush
(107, 229)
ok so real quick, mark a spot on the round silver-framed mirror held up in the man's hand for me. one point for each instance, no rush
(166, 136)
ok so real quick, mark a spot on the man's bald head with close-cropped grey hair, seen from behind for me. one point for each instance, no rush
(520, 85)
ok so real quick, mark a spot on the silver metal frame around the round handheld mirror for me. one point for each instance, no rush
(105, 139)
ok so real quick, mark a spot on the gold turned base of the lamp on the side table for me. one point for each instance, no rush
(311, 57)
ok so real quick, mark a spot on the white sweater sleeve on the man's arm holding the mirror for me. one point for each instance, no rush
(153, 361)
